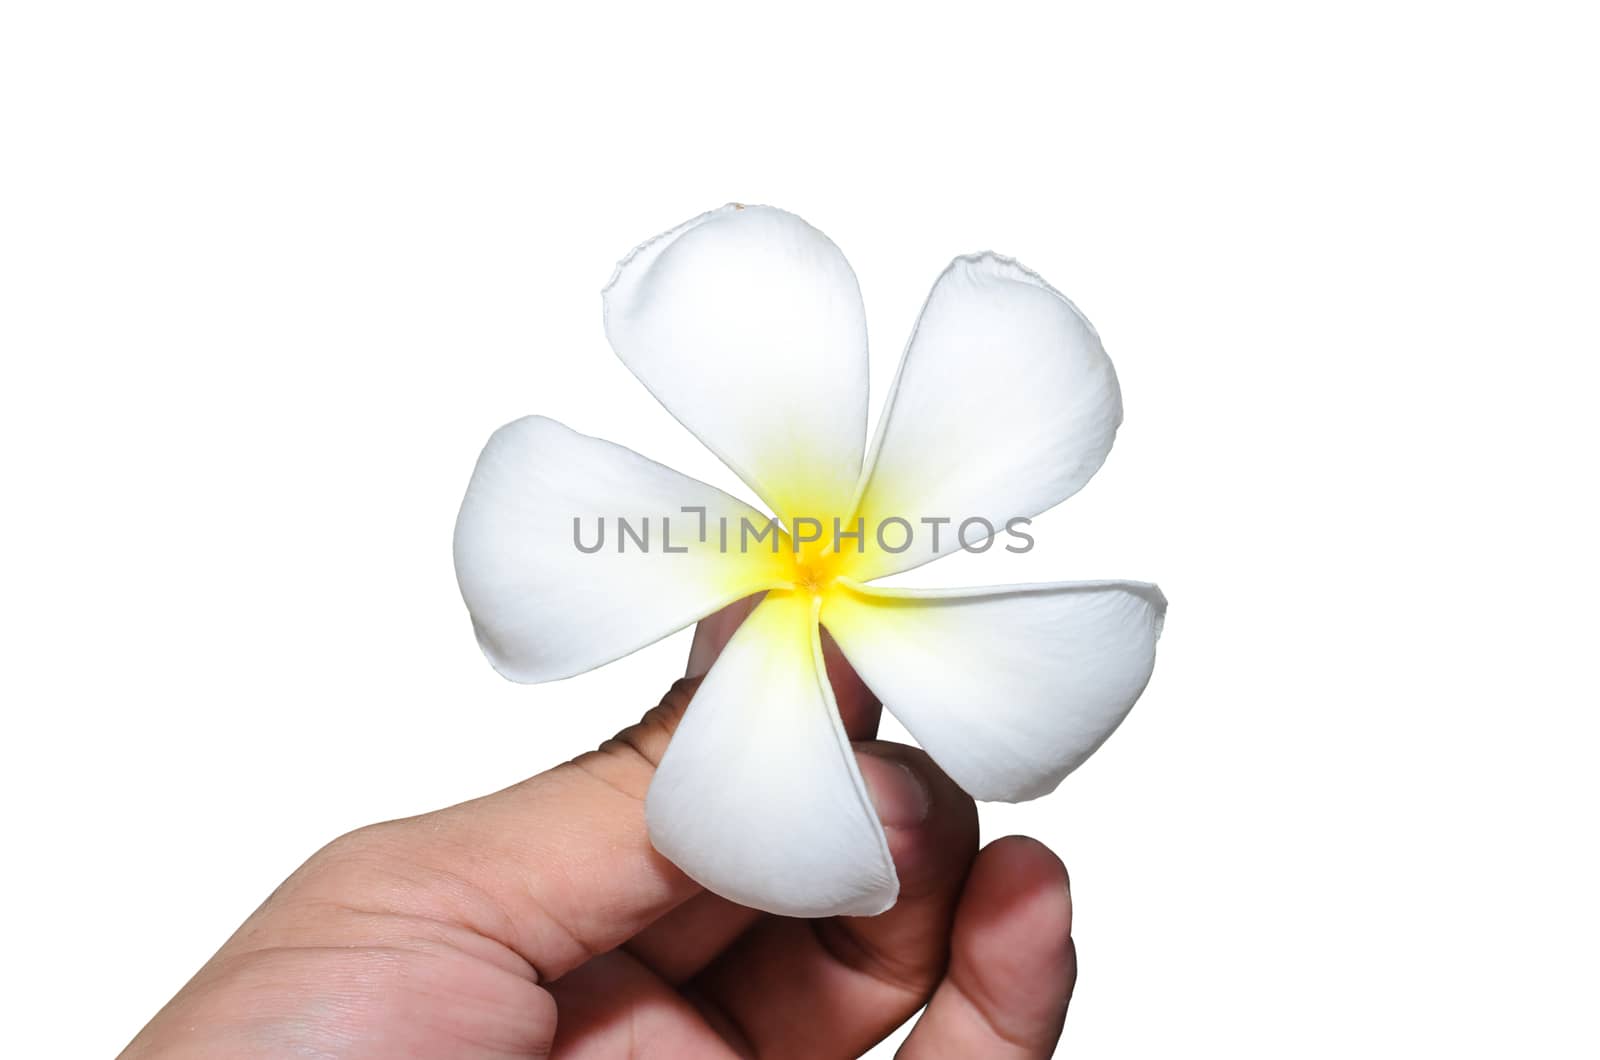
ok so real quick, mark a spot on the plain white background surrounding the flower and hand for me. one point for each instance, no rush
(274, 273)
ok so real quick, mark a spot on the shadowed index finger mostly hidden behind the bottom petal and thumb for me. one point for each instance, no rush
(686, 941)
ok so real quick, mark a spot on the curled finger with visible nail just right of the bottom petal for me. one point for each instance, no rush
(868, 974)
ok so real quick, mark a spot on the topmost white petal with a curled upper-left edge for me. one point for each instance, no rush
(748, 326)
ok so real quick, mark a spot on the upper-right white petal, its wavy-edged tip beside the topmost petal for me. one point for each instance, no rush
(1006, 406)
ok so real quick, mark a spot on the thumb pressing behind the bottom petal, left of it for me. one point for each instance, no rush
(556, 869)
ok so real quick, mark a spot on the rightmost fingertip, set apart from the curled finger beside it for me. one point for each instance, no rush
(1012, 962)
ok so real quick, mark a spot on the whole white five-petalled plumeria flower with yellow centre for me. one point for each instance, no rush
(748, 326)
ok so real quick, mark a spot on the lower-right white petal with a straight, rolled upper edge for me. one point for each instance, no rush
(1009, 689)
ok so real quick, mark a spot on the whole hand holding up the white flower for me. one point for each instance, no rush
(538, 921)
